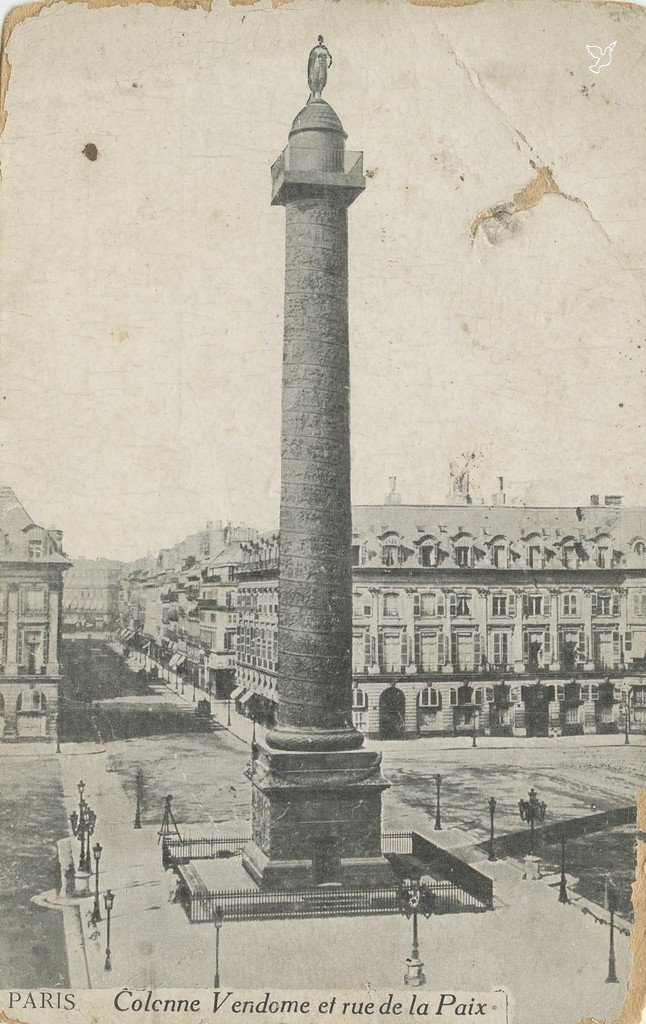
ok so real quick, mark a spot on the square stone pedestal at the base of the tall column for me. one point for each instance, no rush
(317, 820)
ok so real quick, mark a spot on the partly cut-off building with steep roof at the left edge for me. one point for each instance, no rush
(32, 569)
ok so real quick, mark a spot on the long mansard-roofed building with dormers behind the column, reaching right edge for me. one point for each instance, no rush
(497, 620)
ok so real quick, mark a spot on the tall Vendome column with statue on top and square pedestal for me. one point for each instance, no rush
(317, 797)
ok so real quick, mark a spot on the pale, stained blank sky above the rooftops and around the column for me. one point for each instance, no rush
(143, 291)
